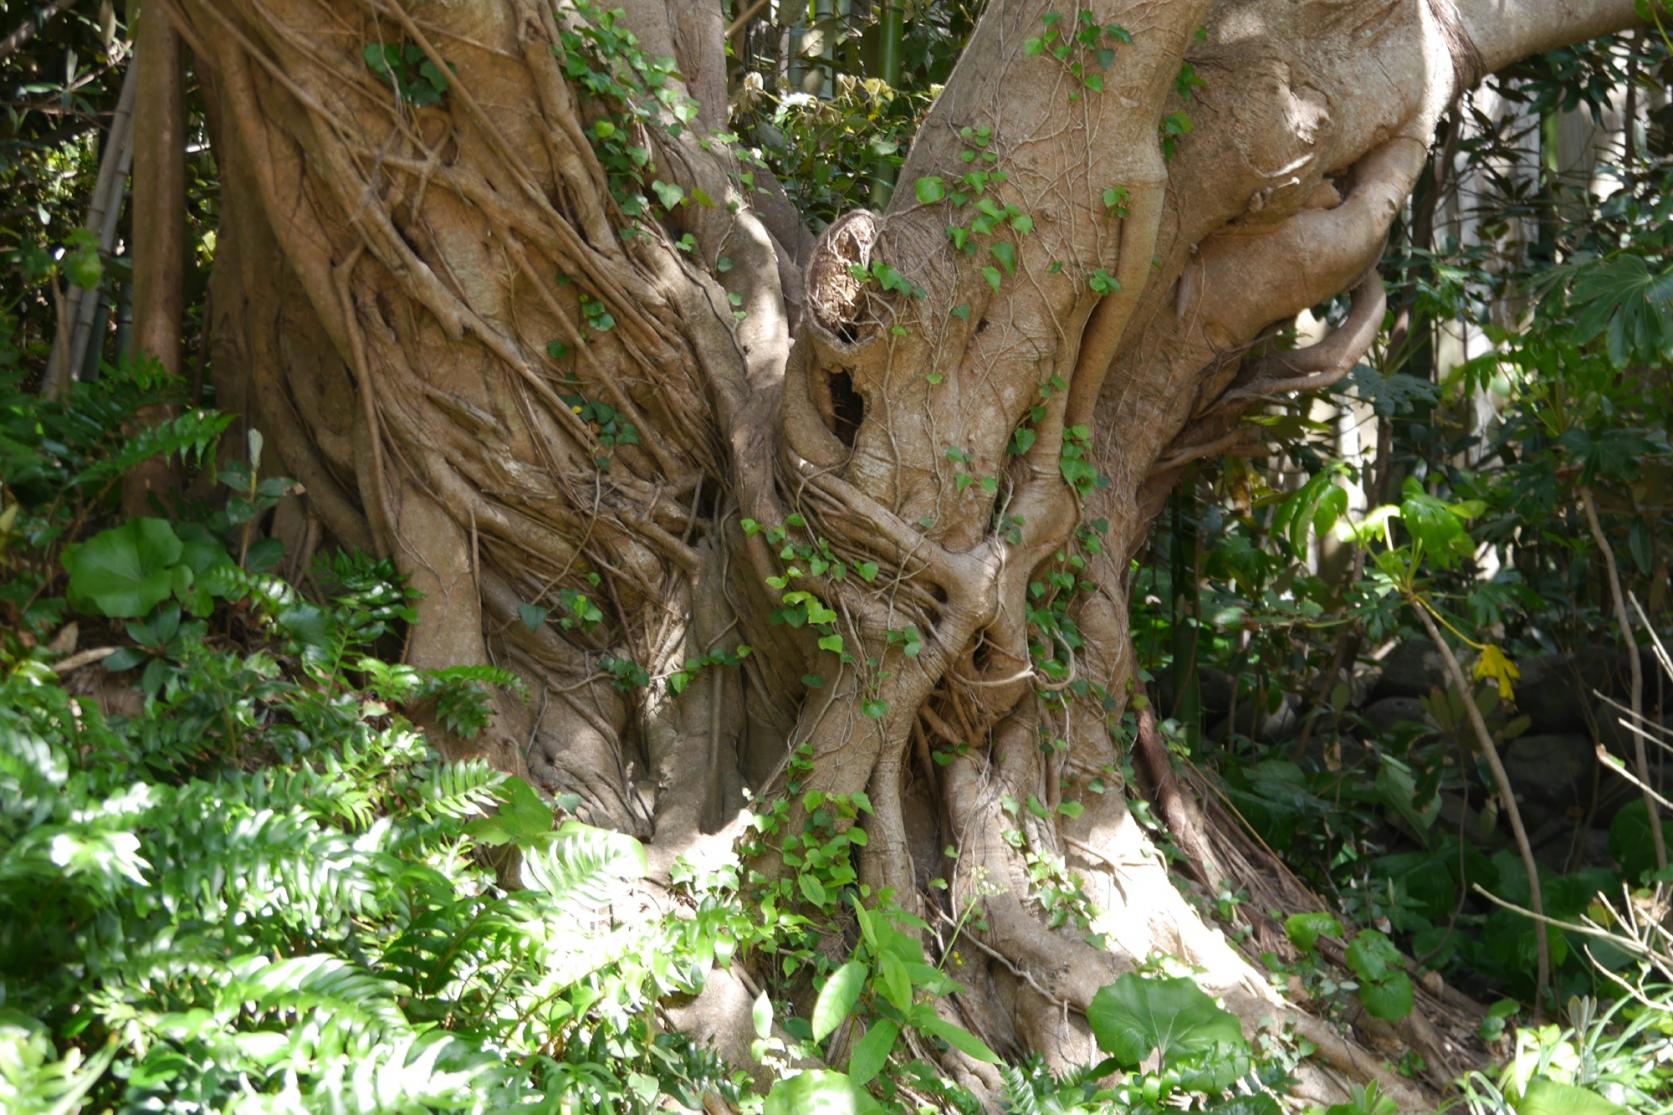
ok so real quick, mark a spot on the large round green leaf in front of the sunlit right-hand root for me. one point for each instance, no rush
(1137, 1017)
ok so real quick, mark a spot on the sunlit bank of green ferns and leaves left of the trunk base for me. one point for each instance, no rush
(262, 890)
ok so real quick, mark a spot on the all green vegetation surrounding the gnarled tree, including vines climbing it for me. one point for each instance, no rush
(1416, 689)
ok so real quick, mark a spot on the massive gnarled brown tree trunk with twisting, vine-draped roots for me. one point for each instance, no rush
(448, 321)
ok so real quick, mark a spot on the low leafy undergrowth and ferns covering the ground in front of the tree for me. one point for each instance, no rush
(235, 876)
